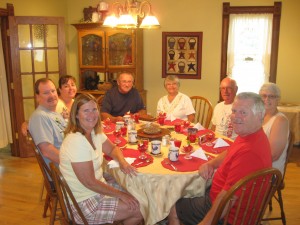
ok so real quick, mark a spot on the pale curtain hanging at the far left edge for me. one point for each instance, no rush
(5, 122)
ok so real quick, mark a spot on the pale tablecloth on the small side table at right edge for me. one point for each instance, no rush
(292, 112)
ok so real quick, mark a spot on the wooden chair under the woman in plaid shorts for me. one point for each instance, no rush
(66, 199)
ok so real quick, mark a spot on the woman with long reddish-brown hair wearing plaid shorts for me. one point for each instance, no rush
(81, 158)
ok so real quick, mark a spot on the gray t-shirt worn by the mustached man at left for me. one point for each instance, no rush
(47, 126)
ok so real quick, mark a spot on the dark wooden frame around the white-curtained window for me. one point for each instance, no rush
(227, 10)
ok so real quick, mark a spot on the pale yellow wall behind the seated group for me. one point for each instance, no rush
(188, 15)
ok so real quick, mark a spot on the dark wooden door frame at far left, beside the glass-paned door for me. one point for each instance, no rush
(4, 14)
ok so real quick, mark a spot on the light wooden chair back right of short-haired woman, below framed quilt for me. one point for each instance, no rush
(204, 110)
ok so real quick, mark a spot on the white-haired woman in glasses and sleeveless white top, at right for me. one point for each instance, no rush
(275, 125)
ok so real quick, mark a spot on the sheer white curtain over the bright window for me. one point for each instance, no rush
(249, 50)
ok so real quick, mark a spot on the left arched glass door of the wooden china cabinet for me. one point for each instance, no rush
(91, 49)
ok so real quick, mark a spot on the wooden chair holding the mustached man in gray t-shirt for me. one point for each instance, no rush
(51, 200)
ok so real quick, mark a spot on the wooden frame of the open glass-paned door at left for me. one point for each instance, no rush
(23, 150)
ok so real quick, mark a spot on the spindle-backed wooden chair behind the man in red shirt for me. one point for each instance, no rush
(255, 192)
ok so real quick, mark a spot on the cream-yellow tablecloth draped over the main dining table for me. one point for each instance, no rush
(157, 189)
